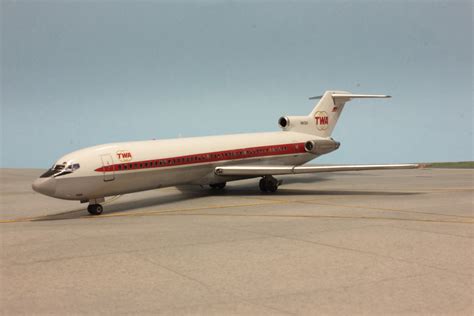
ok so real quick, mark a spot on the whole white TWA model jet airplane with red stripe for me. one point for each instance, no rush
(91, 174)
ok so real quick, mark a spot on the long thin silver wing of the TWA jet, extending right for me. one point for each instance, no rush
(256, 171)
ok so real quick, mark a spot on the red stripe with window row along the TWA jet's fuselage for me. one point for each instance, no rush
(242, 153)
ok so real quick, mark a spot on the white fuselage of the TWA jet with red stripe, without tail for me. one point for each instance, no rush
(120, 168)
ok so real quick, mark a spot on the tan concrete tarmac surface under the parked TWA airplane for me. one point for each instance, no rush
(378, 242)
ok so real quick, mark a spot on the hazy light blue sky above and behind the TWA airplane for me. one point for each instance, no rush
(81, 73)
